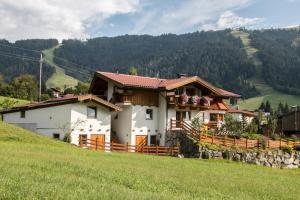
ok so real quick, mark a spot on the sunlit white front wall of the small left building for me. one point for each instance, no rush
(81, 124)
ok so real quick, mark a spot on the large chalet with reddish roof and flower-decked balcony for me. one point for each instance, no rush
(149, 104)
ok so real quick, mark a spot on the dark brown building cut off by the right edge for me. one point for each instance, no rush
(289, 123)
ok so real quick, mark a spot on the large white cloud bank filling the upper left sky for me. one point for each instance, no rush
(60, 19)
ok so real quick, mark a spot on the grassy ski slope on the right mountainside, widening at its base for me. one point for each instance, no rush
(267, 92)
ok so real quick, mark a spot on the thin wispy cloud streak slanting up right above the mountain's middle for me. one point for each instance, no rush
(186, 15)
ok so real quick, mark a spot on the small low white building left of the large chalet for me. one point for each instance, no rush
(85, 116)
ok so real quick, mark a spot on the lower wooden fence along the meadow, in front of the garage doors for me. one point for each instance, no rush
(150, 150)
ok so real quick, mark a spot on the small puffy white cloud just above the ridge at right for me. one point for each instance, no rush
(228, 19)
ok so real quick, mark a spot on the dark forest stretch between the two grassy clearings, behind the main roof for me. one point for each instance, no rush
(215, 56)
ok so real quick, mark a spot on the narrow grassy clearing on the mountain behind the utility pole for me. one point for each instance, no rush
(59, 78)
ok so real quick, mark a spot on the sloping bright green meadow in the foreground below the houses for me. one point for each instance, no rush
(34, 167)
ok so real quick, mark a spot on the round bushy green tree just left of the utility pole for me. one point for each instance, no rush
(25, 87)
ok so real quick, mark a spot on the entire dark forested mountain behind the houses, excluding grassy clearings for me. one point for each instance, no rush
(216, 56)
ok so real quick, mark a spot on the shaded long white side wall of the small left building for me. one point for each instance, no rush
(48, 120)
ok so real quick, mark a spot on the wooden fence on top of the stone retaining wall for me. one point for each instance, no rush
(246, 143)
